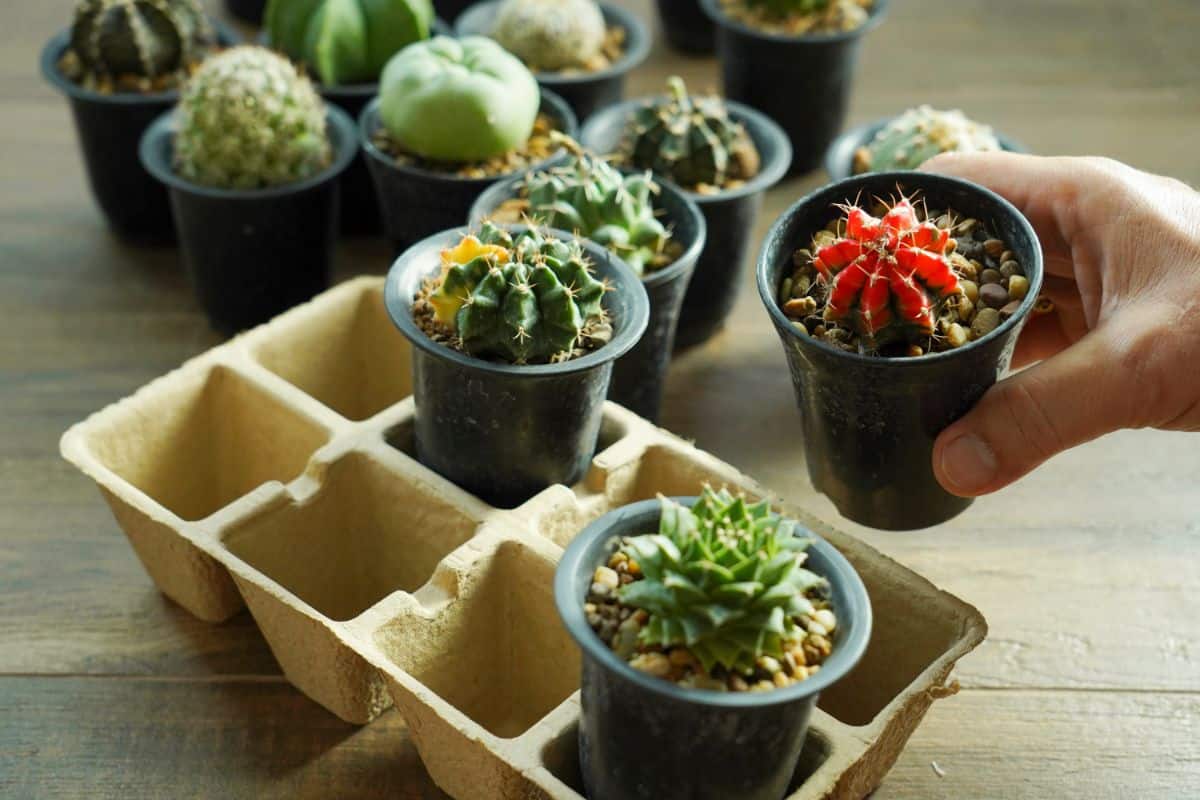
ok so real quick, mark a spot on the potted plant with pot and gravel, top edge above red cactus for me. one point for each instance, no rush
(808, 46)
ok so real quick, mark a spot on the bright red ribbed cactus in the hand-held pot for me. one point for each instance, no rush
(887, 273)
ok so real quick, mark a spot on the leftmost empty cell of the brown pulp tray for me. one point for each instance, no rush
(206, 440)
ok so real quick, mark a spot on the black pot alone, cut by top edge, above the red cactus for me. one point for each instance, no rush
(801, 82)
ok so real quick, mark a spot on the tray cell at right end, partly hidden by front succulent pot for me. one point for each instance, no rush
(911, 630)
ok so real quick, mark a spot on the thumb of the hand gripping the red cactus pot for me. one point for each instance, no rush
(1081, 394)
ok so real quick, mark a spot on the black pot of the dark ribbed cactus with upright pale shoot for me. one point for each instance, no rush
(730, 216)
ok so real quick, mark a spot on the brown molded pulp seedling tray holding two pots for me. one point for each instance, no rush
(278, 472)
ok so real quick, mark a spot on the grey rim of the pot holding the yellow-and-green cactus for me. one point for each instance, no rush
(399, 309)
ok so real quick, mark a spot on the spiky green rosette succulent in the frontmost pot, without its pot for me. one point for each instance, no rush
(723, 579)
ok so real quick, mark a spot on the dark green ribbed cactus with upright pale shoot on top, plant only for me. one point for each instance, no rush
(691, 141)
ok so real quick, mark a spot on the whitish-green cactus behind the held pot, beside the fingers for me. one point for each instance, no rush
(921, 134)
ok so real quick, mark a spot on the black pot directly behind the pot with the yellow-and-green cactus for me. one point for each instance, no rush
(639, 377)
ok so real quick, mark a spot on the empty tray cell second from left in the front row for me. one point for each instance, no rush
(365, 534)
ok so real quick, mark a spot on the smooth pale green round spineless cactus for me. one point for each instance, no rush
(458, 100)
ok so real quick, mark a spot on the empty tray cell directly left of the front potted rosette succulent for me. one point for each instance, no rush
(499, 652)
